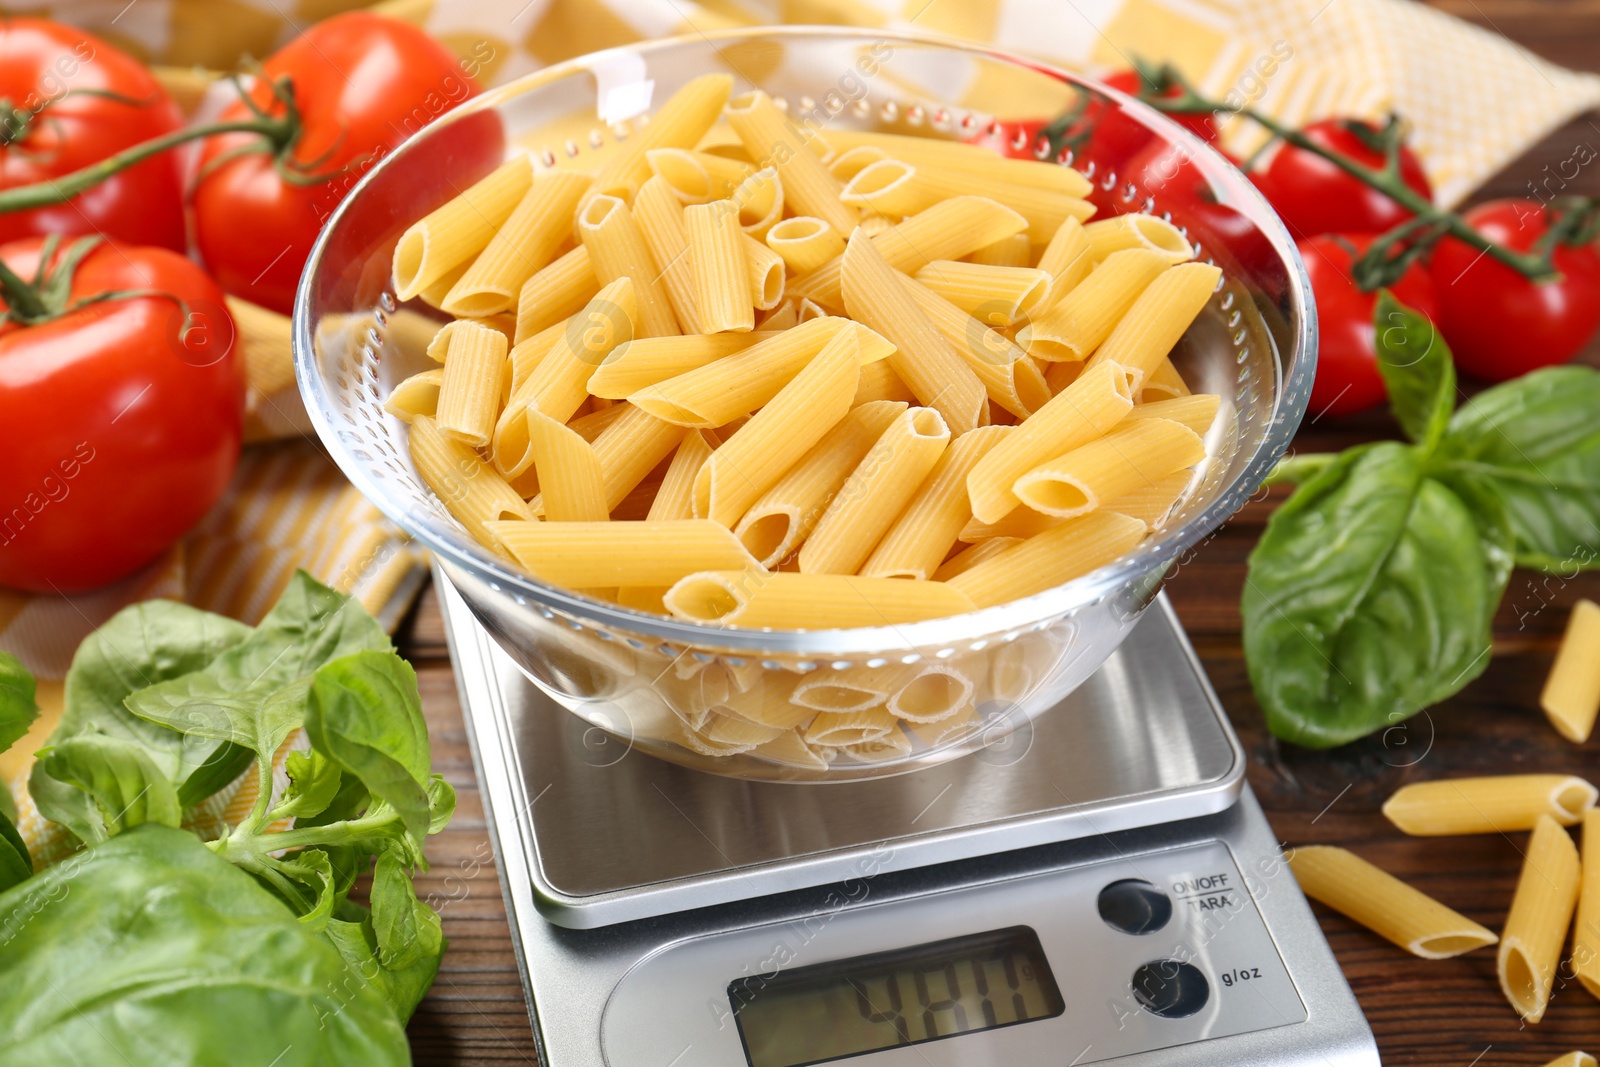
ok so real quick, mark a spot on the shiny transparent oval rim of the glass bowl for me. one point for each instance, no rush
(1015, 617)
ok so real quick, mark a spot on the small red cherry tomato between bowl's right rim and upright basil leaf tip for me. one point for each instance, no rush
(1348, 380)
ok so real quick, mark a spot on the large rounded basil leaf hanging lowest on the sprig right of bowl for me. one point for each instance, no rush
(1369, 597)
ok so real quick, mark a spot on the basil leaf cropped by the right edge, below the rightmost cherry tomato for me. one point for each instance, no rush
(1535, 444)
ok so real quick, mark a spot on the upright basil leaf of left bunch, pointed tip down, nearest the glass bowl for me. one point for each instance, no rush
(367, 716)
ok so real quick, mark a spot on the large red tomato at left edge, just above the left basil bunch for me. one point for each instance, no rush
(119, 431)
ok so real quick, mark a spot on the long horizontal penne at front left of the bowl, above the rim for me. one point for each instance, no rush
(588, 554)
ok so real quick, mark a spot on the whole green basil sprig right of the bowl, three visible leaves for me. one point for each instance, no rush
(1374, 589)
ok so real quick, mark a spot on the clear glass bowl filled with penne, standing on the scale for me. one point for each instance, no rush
(790, 414)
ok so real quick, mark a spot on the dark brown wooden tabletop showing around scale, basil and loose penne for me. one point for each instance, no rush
(1425, 1013)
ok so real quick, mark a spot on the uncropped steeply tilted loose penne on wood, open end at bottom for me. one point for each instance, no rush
(1540, 914)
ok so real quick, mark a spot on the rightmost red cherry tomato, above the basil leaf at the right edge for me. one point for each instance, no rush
(1498, 322)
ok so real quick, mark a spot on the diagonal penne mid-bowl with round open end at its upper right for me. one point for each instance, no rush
(876, 494)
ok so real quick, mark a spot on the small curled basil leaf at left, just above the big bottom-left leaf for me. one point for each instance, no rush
(124, 783)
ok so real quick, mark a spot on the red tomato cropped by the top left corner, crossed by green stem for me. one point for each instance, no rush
(70, 100)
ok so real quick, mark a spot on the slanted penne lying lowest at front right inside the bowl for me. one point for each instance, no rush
(1050, 559)
